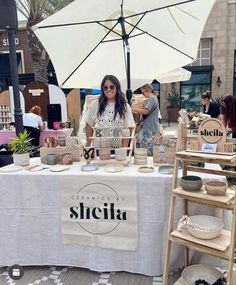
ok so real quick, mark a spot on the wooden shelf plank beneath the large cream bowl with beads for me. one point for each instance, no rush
(219, 245)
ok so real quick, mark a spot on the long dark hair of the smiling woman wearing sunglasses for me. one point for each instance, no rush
(120, 102)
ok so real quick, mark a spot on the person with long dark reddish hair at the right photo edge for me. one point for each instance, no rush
(228, 111)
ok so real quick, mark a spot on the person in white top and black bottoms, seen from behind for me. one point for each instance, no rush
(33, 124)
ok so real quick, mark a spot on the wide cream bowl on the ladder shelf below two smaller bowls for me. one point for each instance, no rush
(205, 227)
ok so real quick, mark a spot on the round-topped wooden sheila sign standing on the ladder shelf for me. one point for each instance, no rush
(212, 131)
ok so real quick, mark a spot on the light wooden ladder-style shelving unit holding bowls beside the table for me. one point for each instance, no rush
(223, 246)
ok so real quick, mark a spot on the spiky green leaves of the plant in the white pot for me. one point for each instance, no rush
(22, 143)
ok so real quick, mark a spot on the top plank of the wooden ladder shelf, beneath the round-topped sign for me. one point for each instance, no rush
(206, 157)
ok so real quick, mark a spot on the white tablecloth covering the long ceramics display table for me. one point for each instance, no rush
(30, 223)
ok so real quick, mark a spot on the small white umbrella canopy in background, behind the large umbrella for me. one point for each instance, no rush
(179, 74)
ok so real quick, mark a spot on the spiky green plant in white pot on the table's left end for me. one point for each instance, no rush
(21, 147)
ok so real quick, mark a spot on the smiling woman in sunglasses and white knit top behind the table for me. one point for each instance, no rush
(110, 110)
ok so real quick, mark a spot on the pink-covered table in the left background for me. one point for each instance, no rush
(7, 135)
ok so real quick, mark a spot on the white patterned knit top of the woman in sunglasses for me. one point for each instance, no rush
(107, 118)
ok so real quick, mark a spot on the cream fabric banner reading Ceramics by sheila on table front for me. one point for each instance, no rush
(99, 211)
